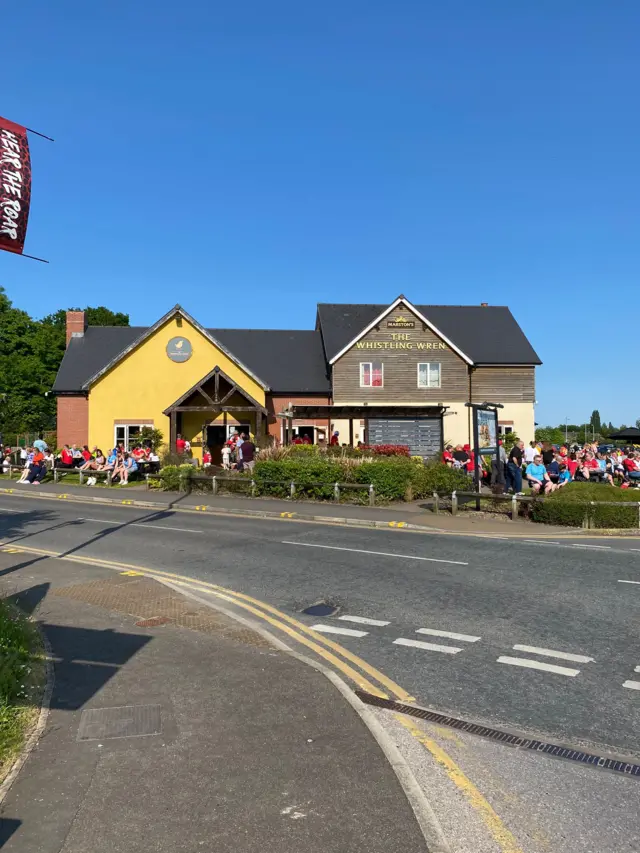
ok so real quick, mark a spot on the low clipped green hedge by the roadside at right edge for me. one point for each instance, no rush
(572, 504)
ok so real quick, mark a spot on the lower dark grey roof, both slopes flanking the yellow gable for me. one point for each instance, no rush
(288, 361)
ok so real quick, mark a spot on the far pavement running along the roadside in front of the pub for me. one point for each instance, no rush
(411, 515)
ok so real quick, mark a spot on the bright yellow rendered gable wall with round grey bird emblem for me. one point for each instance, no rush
(146, 382)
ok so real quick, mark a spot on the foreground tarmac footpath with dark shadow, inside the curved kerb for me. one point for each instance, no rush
(175, 728)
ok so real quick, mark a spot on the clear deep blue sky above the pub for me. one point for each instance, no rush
(250, 159)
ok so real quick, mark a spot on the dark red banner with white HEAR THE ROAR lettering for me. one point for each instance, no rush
(15, 185)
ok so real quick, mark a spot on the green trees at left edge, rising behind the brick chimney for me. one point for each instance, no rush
(30, 355)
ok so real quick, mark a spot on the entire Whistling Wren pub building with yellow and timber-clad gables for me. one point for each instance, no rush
(376, 374)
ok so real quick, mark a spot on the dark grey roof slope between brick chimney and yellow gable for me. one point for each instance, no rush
(87, 355)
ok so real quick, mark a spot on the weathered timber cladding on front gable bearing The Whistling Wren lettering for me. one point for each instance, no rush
(400, 350)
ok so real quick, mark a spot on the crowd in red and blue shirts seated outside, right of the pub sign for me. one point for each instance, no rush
(546, 467)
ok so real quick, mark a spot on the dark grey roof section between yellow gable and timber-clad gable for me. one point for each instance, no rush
(289, 361)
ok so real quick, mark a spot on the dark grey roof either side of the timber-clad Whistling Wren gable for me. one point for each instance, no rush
(487, 335)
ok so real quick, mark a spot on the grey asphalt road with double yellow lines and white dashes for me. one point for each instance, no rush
(533, 636)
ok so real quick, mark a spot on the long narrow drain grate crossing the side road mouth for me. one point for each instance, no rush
(588, 758)
